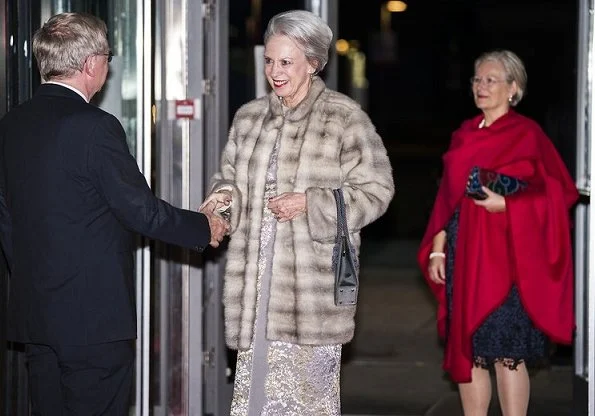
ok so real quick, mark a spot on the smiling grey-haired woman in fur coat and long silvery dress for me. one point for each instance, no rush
(286, 153)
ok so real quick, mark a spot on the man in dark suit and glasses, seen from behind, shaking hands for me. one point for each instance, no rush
(71, 198)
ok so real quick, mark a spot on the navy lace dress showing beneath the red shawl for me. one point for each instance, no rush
(507, 335)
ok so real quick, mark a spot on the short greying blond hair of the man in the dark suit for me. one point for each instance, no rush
(65, 41)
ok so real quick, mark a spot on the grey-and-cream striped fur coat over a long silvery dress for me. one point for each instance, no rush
(327, 142)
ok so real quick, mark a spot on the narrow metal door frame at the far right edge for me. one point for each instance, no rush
(584, 354)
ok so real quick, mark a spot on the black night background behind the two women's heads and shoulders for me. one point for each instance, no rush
(418, 86)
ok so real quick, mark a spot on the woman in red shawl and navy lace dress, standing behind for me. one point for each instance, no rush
(501, 267)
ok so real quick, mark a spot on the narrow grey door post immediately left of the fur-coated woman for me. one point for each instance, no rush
(218, 386)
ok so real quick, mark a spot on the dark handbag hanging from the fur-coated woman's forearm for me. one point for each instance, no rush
(345, 262)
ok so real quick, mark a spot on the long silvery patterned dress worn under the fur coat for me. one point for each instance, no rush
(275, 378)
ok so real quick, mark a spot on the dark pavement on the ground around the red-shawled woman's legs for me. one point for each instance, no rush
(393, 365)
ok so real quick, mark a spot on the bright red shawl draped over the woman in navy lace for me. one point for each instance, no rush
(528, 245)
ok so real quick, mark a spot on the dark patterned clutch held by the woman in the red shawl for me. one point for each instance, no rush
(494, 181)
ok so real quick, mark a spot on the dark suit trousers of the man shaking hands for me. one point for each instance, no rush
(82, 380)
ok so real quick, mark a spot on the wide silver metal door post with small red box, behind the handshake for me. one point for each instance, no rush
(183, 157)
